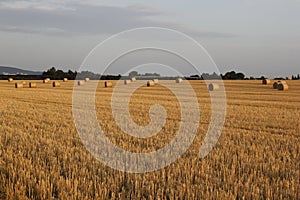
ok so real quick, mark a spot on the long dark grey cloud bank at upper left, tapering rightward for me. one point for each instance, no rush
(85, 18)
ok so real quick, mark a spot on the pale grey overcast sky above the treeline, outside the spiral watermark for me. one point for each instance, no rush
(257, 37)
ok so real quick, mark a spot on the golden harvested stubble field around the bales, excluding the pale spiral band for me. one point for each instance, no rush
(256, 157)
